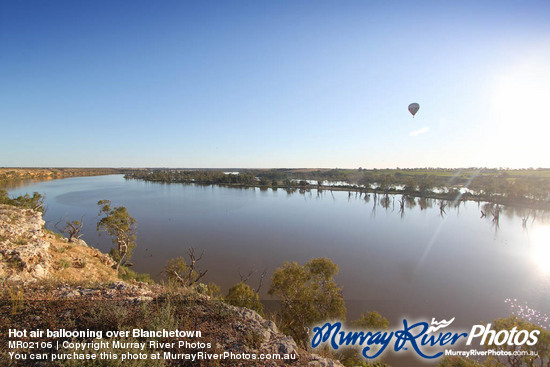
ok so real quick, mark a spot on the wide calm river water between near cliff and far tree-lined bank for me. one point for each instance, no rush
(397, 254)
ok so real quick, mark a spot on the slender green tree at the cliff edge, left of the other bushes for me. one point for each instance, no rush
(122, 229)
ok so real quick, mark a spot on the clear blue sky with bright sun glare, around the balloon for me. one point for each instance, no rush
(274, 84)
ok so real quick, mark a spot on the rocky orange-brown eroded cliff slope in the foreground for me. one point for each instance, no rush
(59, 284)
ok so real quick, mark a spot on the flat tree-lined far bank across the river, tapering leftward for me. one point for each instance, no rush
(528, 188)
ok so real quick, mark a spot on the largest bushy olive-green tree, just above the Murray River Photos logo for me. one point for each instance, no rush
(308, 294)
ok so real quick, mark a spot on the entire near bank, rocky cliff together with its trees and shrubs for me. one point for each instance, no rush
(78, 289)
